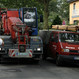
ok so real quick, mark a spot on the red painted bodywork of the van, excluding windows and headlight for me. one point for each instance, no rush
(56, 47)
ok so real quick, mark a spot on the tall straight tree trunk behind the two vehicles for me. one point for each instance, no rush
(46, 14)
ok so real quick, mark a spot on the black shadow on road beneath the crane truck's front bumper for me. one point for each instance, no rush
(19, 62)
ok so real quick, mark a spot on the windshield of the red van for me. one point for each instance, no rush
(69, 37)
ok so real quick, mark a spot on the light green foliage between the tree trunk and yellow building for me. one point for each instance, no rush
(58, 7)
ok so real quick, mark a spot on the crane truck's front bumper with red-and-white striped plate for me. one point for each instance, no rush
(14, 53)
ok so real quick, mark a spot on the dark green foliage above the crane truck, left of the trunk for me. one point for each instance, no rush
(21, 3)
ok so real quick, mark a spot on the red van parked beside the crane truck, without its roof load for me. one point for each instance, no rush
(60, 45)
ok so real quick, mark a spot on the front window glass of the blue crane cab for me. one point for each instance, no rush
(30, 17)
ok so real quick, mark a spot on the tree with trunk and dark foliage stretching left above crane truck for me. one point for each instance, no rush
(42, 6)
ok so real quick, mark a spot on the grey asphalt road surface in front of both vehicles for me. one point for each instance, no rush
(43, 70)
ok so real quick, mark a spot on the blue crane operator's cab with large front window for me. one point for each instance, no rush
(29, 17)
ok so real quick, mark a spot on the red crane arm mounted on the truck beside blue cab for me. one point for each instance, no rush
(10, 21)
